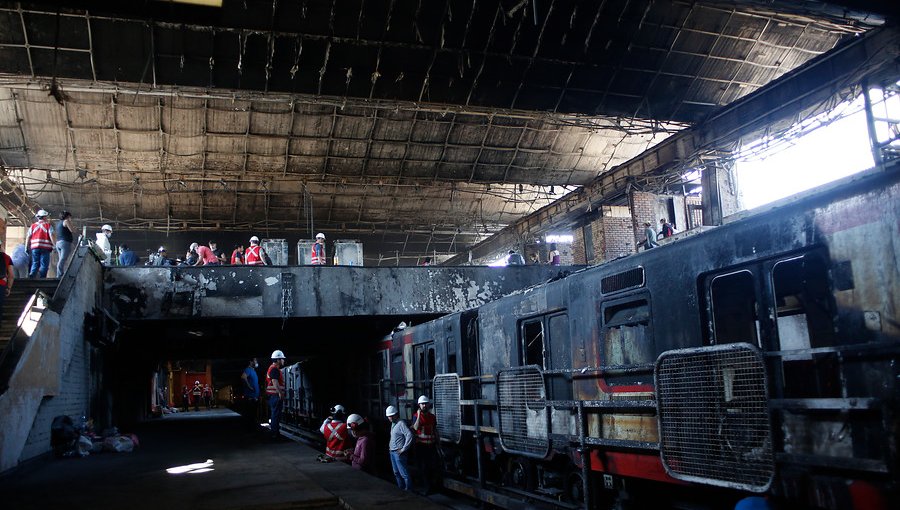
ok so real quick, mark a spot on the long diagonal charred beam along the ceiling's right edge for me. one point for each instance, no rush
(874, 56)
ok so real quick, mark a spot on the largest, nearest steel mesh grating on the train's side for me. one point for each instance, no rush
(713, 416)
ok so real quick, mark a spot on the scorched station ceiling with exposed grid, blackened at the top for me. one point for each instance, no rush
(432, 122)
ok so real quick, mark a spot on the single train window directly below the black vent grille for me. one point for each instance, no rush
(628, 339)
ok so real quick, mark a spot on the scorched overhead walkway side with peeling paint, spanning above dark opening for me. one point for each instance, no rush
(243, 291)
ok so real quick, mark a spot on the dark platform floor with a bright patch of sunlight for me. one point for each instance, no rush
(203, 460)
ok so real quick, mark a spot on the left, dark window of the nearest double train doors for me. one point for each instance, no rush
(734, 308)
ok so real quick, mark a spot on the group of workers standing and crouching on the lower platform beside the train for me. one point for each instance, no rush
(349, 438)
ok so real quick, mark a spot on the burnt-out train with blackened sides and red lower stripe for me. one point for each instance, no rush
(761, 357)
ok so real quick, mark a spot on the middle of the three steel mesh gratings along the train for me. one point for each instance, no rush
(522, 403)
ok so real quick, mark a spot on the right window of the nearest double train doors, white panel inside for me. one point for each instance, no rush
(803, 303)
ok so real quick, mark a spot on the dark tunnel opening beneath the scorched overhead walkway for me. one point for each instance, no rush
(146, 367)
